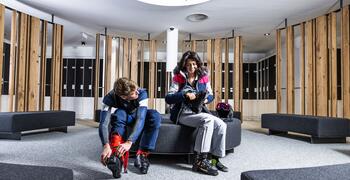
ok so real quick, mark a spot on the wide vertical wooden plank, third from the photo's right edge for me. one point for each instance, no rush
(321, 66)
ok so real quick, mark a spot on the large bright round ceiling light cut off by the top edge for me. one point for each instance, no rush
(173, 2)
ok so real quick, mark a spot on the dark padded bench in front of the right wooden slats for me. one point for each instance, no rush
(321, 129)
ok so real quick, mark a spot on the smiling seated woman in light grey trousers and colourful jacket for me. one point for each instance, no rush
(190, 82)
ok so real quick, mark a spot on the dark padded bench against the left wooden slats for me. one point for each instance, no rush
(13, 123)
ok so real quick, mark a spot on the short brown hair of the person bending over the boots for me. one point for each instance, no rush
(124, 86)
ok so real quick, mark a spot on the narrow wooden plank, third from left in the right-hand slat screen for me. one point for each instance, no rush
(302, 68)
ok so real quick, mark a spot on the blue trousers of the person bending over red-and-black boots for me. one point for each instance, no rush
(147, 127)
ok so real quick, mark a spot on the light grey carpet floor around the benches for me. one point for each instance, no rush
(80, 148)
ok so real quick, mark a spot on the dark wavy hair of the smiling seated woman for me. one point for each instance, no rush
(181, 66)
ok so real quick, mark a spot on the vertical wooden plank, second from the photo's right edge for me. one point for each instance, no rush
(333, 64)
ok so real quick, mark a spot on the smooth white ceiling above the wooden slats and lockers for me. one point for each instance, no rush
(248, 18)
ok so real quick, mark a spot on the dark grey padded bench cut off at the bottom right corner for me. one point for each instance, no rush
(339, 171)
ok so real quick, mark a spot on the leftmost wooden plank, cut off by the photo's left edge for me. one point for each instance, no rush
(2, 25)
